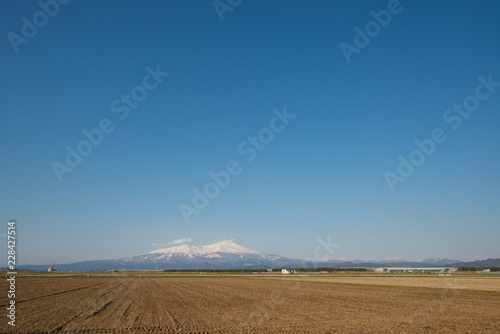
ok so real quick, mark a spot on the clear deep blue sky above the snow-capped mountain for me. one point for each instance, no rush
(322, 175)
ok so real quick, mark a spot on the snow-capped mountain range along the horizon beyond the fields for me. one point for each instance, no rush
(229, 255)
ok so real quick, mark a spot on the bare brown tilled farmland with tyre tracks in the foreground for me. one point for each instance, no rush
(243, 305)
